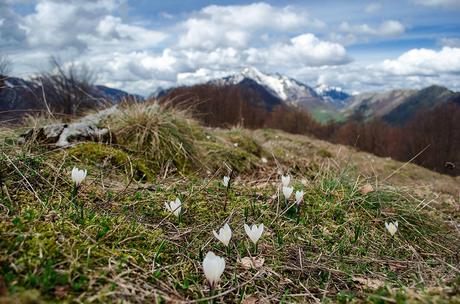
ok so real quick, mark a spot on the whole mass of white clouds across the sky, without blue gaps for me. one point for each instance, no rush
(213, 42)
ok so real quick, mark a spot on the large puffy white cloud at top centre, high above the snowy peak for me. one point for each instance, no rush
(236, 25)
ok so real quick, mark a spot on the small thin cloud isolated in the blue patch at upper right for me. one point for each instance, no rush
(386, 28)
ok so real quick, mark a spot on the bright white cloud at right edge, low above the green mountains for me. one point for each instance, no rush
(420, 62)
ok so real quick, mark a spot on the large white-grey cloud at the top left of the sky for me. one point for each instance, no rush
(81, 24)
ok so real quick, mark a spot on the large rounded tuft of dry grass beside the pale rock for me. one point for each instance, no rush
(162, 135)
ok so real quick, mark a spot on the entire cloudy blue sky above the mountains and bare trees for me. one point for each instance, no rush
(142, 45)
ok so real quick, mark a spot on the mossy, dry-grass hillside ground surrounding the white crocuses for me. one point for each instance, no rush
(129, 249)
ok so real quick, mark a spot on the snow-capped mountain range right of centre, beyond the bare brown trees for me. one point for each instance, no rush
(333, 103)
